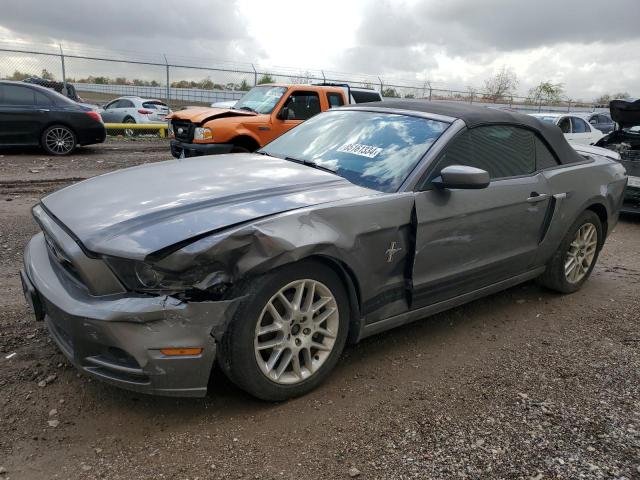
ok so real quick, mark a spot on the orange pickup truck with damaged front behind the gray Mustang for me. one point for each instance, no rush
(261, 115)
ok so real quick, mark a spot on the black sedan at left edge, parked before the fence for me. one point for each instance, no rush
(34, 115)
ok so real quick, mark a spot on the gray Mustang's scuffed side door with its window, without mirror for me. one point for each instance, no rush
(467, 239)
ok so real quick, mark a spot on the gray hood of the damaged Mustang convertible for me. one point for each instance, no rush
(137, 211)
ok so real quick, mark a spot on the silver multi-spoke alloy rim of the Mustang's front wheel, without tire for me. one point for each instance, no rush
(296, 331)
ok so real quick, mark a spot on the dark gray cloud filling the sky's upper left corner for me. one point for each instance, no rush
(206, 28)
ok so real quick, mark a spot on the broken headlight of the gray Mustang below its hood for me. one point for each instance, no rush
(142, 276)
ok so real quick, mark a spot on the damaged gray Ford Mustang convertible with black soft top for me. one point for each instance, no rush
(359, 220)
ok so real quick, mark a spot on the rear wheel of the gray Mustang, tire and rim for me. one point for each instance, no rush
(559, 275)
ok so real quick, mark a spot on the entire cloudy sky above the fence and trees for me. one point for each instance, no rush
(591, 46)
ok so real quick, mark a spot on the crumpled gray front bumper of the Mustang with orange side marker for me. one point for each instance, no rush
(118, 338)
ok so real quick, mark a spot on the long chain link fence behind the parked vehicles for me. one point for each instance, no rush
(98, 78)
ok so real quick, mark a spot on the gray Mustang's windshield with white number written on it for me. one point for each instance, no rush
(373, 150)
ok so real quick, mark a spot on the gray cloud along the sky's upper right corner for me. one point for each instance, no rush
(461, 26)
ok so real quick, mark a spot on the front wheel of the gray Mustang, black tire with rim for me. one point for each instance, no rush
(245, 360)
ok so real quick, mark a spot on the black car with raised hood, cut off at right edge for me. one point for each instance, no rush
(625, 140)
